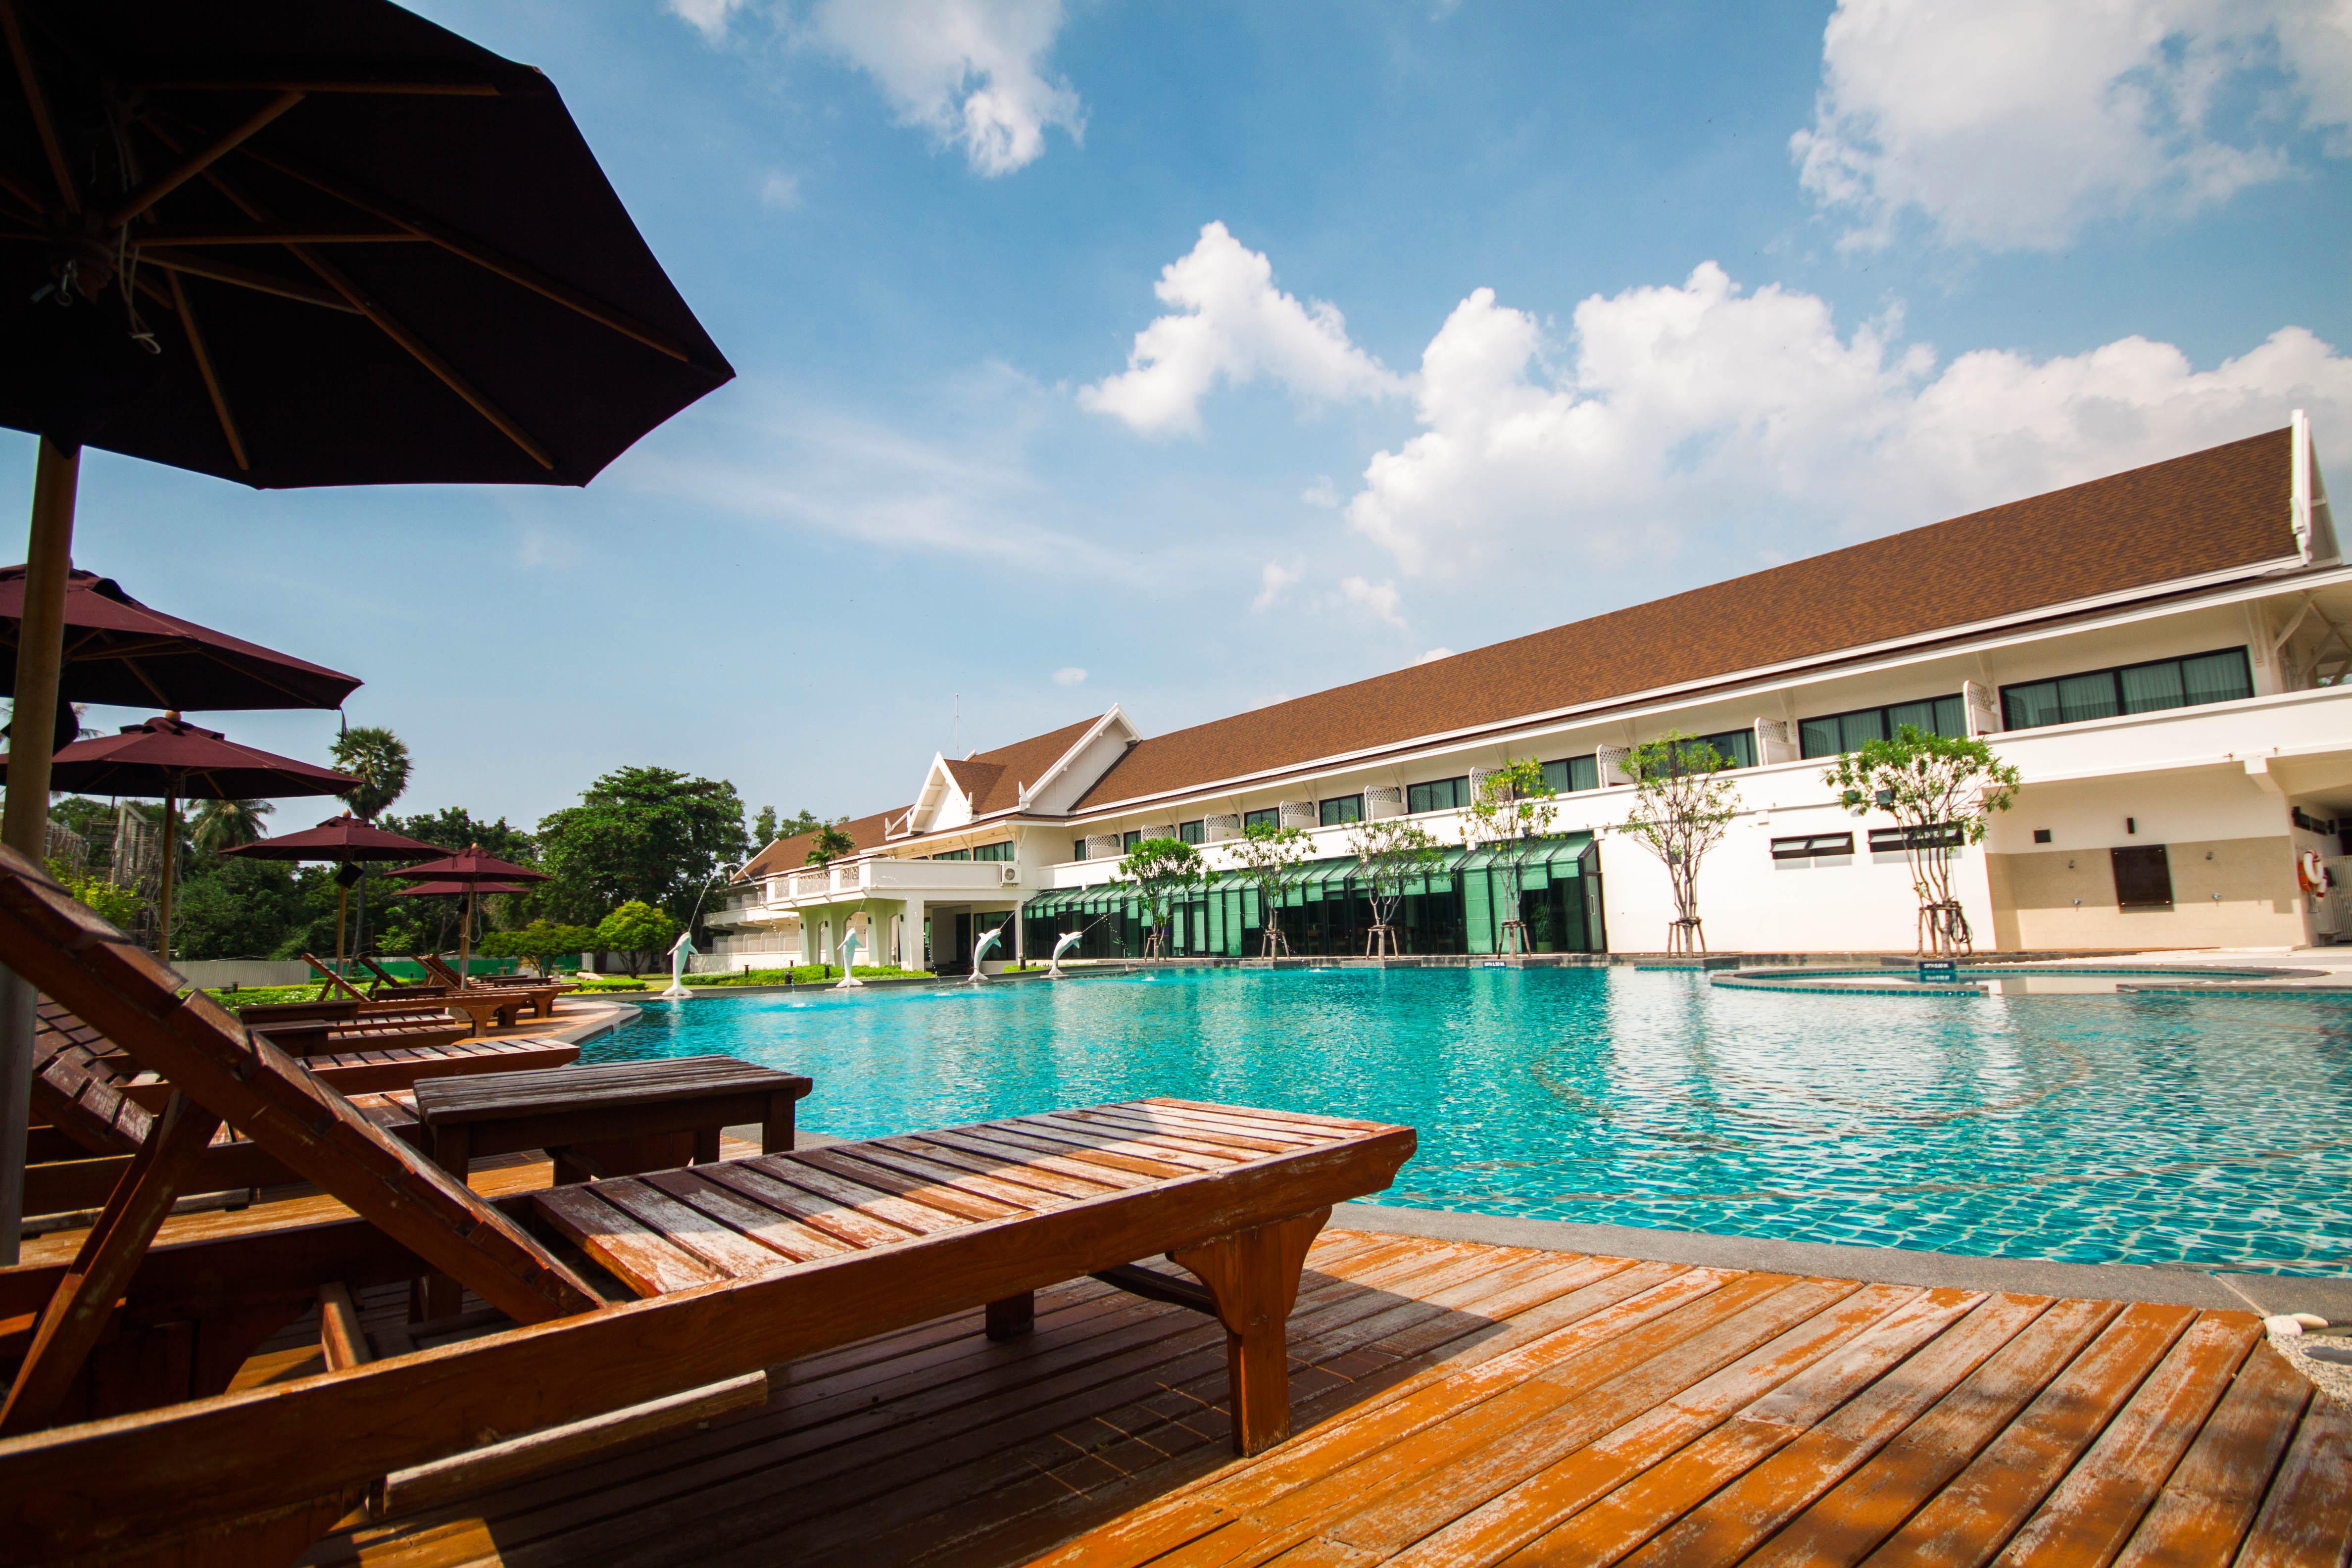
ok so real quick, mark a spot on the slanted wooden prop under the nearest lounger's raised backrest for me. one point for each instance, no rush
(88, 1294)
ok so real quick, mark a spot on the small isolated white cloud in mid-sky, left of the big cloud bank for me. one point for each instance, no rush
(1231, 323)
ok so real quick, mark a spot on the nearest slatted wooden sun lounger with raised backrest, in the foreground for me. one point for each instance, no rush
(742, 1266)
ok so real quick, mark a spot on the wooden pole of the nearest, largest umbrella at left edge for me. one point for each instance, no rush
(25, 826)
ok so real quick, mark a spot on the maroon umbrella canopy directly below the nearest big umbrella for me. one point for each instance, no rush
(133, 657)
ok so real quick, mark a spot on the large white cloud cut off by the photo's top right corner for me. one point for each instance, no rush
(2010, 123)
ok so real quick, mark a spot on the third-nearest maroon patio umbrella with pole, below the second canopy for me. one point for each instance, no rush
(178, 760)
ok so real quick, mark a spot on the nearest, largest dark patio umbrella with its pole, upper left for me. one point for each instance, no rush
(298, 243)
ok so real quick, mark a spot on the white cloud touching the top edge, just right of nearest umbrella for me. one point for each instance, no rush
(970, 72)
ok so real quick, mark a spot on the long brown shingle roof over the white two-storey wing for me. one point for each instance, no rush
(2172, 521)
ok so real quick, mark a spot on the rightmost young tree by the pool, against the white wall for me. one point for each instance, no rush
(1942, 793)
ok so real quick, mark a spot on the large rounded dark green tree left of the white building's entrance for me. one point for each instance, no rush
(639, 836)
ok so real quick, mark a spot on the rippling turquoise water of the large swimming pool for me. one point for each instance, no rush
(2099, 1130)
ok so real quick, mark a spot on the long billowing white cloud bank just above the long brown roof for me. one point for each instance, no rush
(1706, 403)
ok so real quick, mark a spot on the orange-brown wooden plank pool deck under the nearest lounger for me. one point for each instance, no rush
(1483, 1405)
